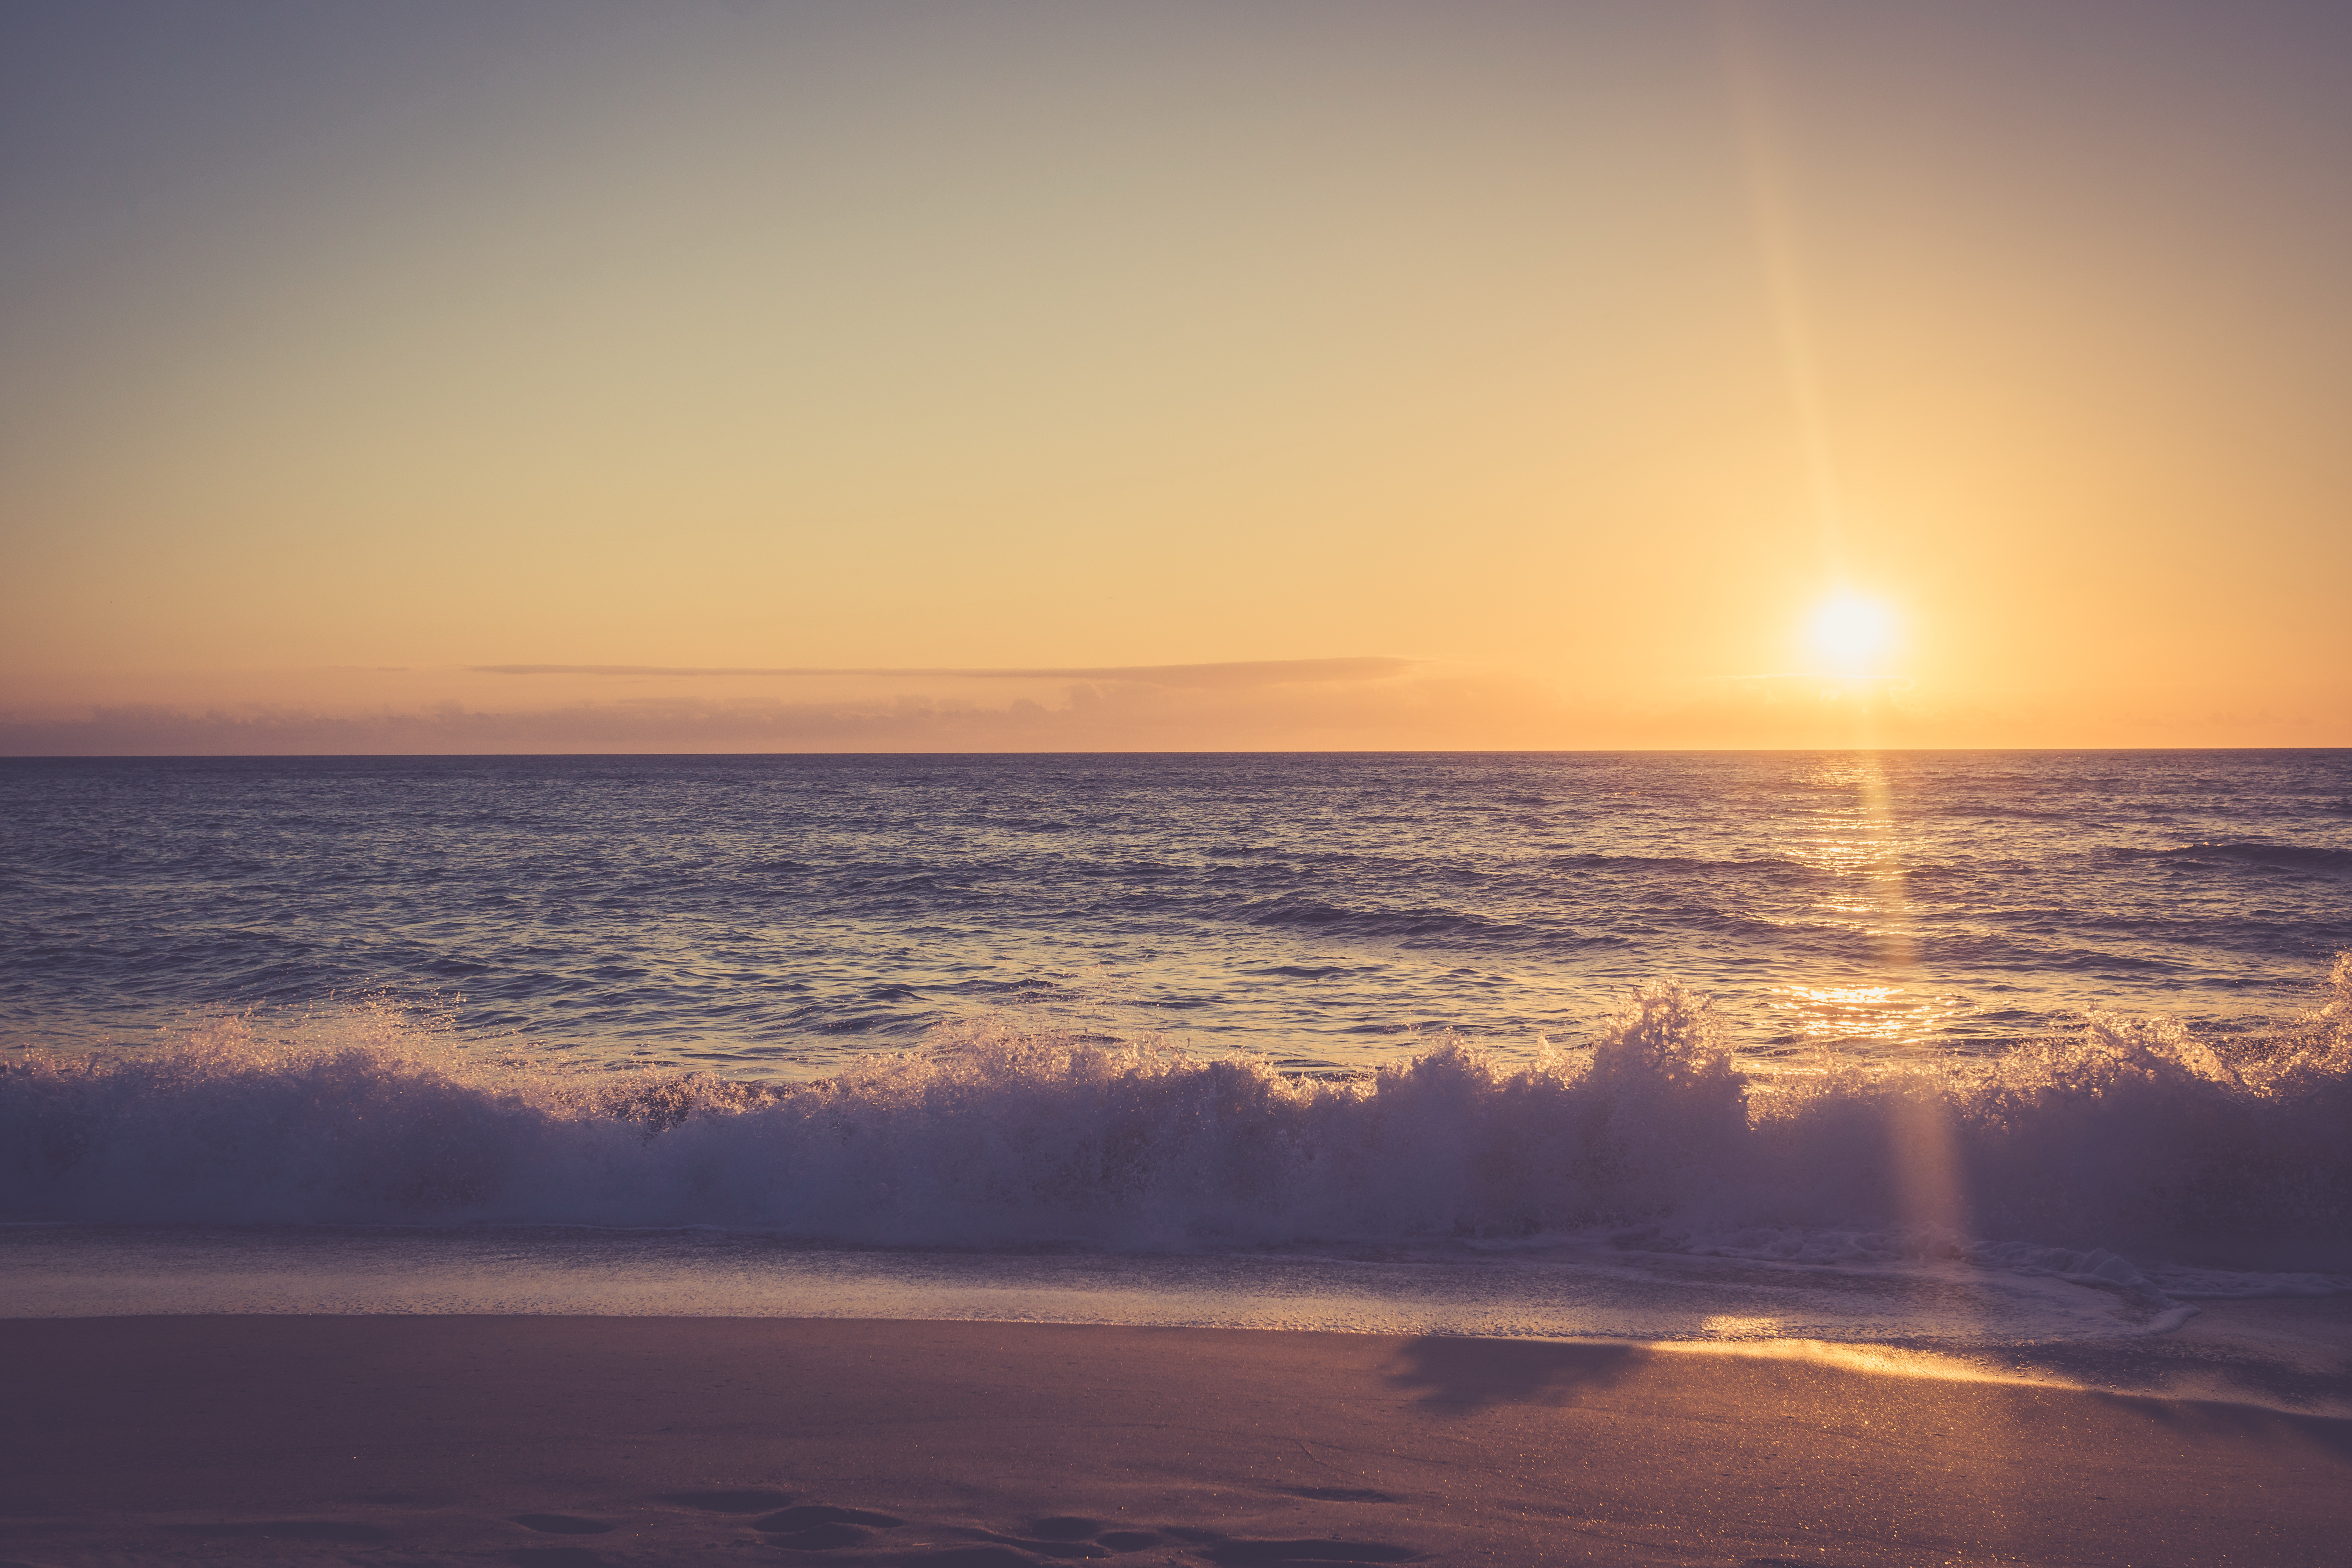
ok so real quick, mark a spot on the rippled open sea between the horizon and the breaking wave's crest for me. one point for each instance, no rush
(780, 916)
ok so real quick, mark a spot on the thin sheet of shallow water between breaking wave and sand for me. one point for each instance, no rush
(1568, 1289)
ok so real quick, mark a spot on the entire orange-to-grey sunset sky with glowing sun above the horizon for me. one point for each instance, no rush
(1095, 377)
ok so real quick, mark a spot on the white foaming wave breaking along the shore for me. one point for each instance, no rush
(2130, 1139)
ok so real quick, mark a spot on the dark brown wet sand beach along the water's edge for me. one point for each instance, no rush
(540, 1440)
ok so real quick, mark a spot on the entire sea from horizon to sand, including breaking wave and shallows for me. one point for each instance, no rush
(1916, 1050)
